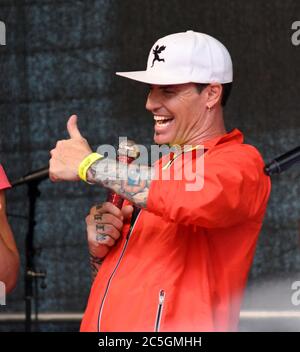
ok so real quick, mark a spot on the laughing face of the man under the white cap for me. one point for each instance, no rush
(179, 112)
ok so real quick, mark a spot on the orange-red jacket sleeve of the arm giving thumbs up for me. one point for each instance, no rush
(235, 189)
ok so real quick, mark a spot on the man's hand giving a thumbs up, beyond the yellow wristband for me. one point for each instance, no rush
(68, 154)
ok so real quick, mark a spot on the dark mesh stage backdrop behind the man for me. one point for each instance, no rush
(60, 58)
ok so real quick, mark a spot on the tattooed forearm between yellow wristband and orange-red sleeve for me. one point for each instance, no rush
(130, 181)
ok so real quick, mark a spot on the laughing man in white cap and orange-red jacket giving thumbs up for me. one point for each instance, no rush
(183, 263)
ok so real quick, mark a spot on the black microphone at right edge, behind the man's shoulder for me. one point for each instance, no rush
(283, 162)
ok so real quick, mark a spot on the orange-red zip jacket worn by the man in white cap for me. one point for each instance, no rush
(184, 264)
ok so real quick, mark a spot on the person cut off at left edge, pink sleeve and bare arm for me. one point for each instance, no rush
(9, 257)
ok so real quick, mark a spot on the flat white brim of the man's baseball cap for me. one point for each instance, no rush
(151, 78)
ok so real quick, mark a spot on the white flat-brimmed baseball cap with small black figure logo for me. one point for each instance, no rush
(185, 57)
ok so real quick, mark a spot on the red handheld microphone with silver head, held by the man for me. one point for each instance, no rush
(128, 151)
